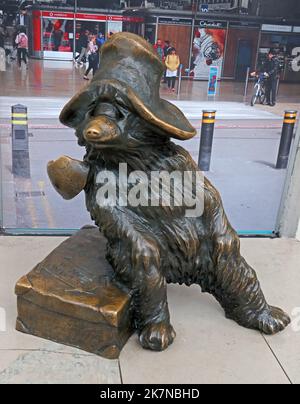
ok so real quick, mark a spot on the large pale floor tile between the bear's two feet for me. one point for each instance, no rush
(209, 349)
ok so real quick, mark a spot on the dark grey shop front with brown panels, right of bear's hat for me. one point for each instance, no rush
(232, 44)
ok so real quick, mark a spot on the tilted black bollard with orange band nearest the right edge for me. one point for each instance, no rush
(286, 139)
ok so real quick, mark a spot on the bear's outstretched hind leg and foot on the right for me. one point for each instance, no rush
(238, 290)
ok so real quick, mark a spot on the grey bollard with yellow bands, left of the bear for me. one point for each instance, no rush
(20, 142)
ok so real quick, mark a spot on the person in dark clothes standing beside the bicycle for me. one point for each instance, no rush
(272, 72)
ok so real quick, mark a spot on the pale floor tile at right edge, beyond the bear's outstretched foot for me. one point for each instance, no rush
(278, 264)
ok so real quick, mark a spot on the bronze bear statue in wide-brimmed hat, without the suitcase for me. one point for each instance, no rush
(120, 118)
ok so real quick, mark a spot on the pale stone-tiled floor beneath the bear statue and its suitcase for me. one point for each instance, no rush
(209, 349)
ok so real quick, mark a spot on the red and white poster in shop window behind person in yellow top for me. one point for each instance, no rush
(208, 51)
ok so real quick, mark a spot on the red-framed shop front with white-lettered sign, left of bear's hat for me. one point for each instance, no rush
(54, 34)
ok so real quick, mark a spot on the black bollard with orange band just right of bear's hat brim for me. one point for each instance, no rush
(207, 134)
